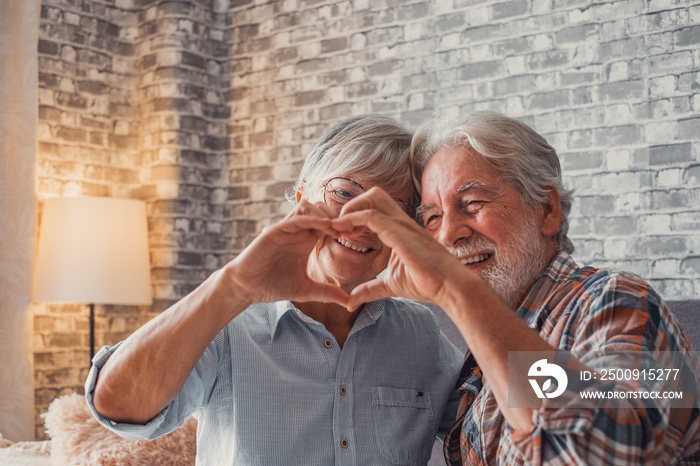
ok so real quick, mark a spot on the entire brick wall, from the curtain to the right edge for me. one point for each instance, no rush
(206, 108)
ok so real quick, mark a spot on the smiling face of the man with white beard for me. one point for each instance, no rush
(482, 220)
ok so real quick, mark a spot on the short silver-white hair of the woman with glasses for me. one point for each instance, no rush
(375, 146)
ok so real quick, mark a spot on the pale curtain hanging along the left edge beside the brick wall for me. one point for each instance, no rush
(19, 29)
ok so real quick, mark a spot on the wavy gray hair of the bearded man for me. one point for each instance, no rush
(524, 157)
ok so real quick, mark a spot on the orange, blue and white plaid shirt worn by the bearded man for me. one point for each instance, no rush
(582, 309)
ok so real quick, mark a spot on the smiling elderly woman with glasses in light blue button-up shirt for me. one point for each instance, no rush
(264, 352)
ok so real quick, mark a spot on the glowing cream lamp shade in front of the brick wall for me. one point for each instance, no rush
(93, 250)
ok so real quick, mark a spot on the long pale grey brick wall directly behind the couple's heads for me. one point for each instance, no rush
(612, 85)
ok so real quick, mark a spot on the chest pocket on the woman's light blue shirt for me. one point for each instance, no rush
(404, 424)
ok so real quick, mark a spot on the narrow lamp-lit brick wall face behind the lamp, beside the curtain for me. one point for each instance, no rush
(87, 146)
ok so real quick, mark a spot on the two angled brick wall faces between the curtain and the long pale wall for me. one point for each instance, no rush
(133, 103)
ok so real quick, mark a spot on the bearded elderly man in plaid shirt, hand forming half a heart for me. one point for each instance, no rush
(494, 254)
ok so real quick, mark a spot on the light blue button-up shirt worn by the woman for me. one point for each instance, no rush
(275, 388)
